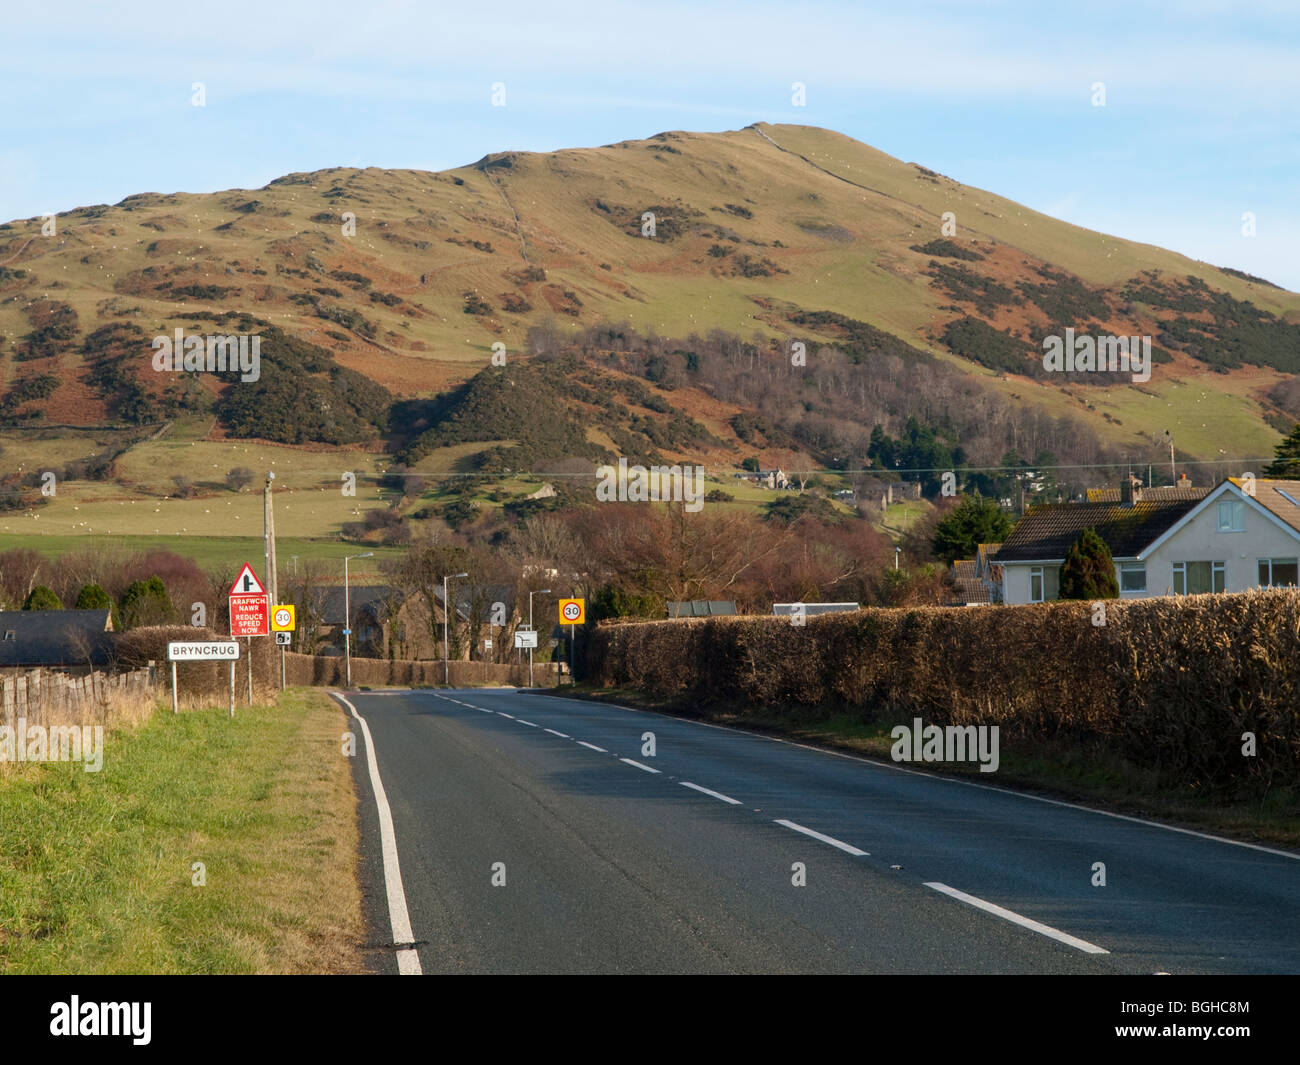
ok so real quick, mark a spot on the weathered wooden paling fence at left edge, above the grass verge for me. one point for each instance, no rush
(47, 699)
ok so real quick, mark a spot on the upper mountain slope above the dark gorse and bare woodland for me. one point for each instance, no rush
(785, 232)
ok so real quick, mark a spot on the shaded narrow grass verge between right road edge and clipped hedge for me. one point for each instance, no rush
(1093, 778)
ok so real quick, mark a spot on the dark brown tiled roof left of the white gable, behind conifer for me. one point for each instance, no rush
(1047, 532)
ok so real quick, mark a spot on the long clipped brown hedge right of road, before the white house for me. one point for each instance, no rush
(1168, 685)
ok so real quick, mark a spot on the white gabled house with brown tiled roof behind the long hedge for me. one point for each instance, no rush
(1240, 535)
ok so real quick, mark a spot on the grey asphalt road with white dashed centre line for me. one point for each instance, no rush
(531, 834)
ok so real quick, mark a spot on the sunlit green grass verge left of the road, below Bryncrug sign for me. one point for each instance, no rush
(97, 868)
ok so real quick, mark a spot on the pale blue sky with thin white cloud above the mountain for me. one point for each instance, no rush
(1201, 124)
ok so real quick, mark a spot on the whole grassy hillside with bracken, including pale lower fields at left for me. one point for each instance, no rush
(375, 288)
